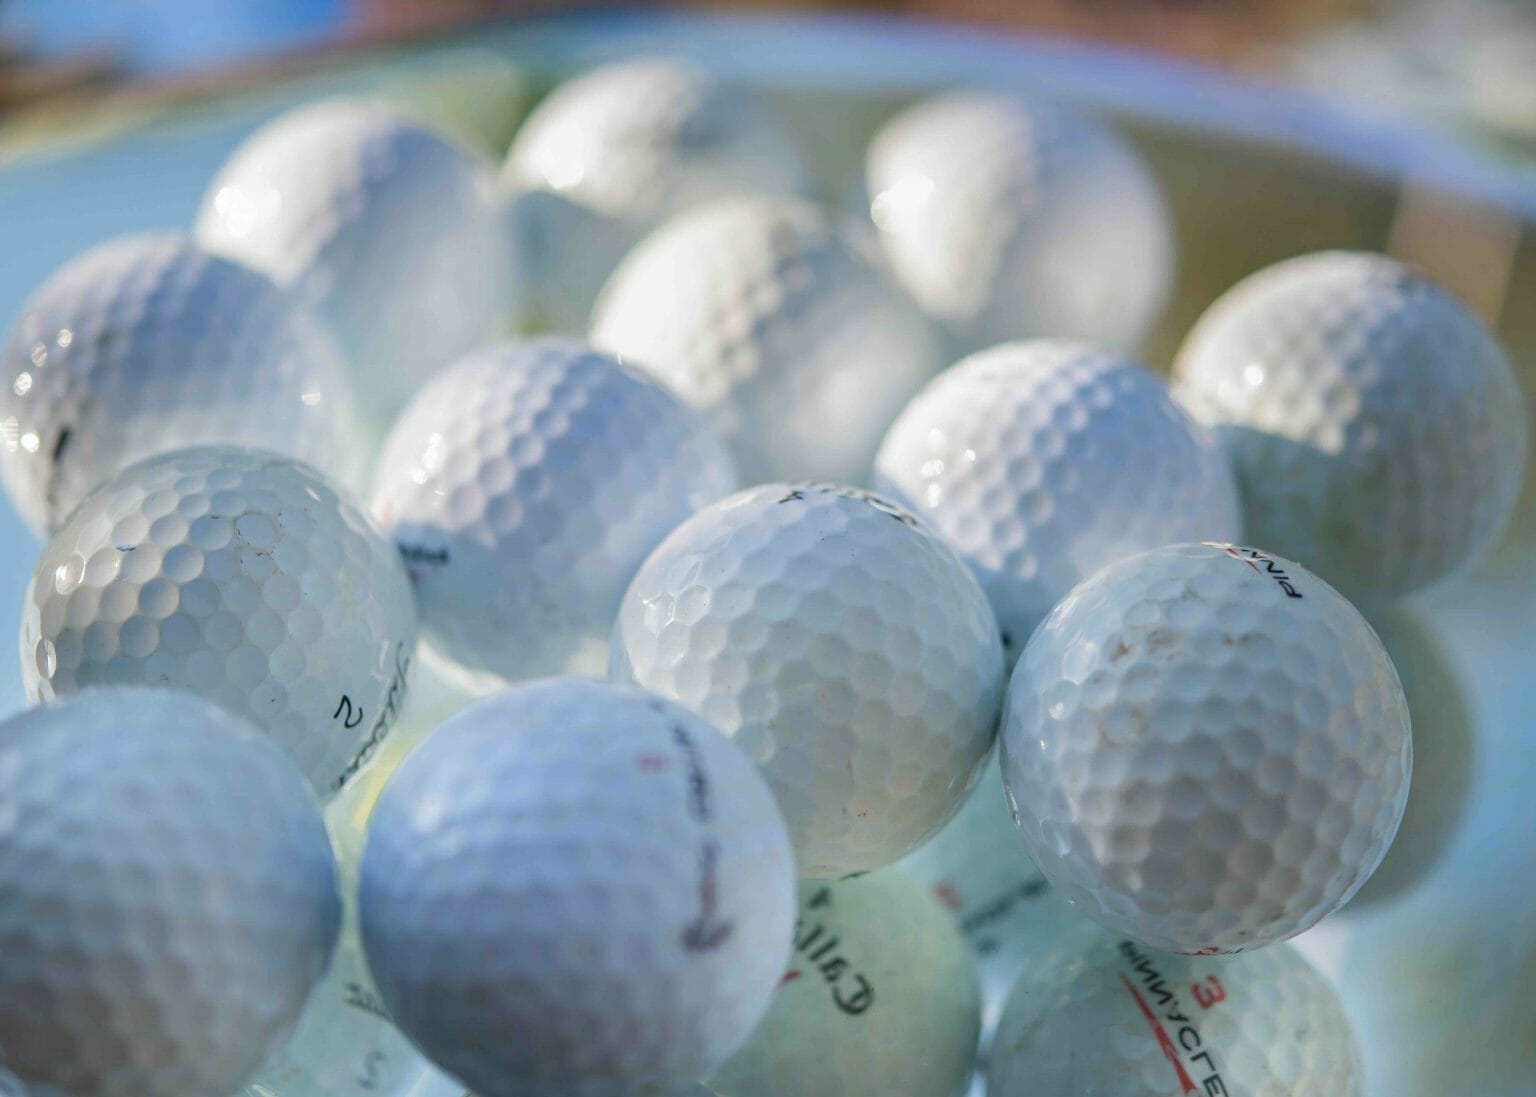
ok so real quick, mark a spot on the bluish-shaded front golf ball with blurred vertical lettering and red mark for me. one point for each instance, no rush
(577, 889)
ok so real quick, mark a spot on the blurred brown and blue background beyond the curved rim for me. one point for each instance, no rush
(1466, 64)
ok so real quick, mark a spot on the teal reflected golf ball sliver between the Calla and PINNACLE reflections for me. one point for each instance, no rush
(979, 870)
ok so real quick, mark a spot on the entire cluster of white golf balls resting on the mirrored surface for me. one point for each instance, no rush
(807, 718)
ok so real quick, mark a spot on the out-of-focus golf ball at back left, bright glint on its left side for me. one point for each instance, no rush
(392, 233)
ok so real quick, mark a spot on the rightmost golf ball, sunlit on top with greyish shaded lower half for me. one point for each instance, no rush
(1372, 420)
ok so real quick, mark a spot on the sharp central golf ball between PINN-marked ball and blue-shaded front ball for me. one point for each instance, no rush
(846, 648)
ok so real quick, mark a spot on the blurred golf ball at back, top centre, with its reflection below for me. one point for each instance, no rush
(615, 151)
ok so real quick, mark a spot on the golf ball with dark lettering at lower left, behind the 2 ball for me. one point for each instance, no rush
(526, 488)
